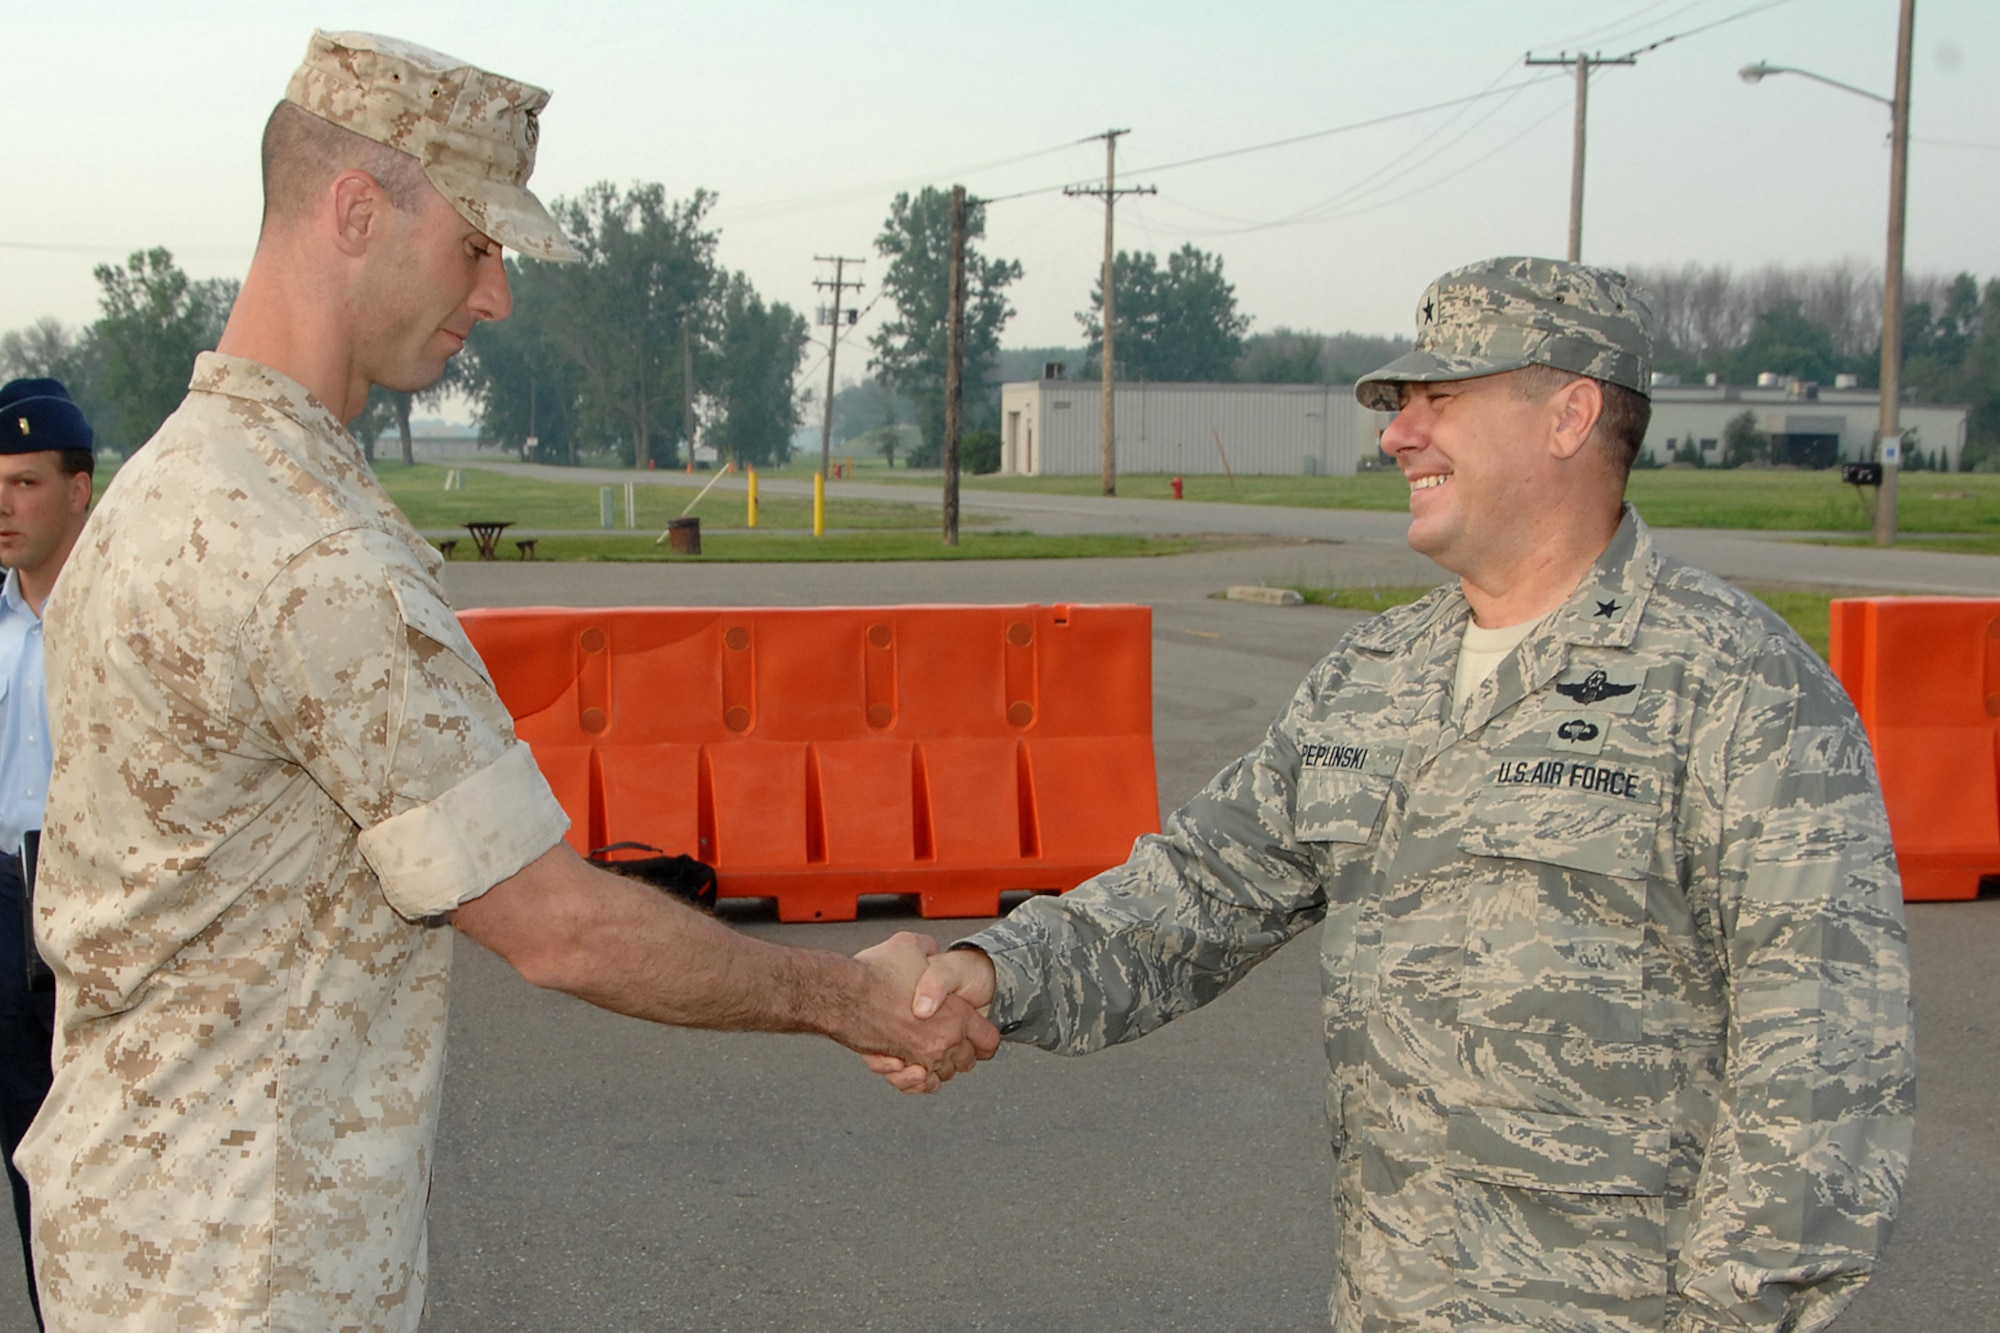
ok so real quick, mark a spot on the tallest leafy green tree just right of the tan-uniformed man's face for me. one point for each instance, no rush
(647, 285)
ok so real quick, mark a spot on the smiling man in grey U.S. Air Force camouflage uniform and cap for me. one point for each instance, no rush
(1615, 972)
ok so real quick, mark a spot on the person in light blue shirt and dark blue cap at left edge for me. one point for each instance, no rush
(47, 475)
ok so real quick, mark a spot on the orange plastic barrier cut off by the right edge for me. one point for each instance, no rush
(1925, 674)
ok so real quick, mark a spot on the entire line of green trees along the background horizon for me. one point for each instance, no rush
(649, 345)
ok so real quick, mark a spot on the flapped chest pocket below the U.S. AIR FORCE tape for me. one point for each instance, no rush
(1557, 916)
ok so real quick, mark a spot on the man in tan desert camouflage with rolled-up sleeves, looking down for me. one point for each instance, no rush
(283, 774)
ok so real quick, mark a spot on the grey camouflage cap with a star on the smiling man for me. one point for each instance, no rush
(1511, 313)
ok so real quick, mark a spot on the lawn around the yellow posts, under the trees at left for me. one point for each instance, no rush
(535, 503)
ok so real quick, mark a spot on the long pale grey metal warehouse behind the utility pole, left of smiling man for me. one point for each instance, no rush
(1055, 429)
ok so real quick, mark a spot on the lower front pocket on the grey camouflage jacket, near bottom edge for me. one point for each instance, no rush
(1561, 1220)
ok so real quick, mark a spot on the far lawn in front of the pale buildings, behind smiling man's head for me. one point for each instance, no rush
(1667, 497)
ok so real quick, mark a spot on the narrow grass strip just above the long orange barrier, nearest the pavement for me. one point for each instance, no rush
(879, 545)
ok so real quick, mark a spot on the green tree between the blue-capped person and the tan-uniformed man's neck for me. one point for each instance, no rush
(155, 323)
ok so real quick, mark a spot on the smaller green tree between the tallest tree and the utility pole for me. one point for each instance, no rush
(753, 373)
